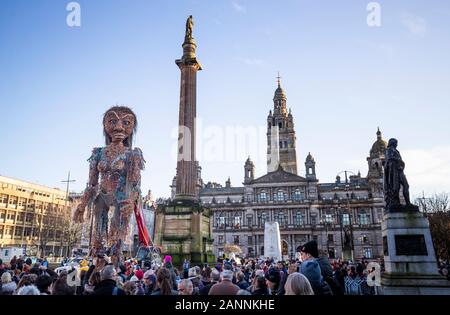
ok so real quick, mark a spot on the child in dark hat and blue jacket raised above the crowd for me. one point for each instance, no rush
(311, 269)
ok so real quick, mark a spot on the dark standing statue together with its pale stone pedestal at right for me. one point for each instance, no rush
(409, 256)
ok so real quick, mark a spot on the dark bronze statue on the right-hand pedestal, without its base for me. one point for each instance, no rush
(395, 180)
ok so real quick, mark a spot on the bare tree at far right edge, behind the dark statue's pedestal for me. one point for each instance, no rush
(437, 209)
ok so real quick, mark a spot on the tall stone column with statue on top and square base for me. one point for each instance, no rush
(183, 226)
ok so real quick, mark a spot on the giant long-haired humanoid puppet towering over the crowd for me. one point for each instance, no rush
(118, 167)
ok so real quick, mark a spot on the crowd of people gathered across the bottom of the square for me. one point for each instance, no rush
(311, 274)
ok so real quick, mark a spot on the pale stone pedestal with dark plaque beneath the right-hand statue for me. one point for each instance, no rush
(409, 256)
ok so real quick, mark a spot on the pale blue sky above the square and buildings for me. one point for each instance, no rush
(342, 79)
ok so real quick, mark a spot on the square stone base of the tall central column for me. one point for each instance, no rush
(183, 230)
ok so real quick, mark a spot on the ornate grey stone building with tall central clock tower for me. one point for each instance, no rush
(344, 217)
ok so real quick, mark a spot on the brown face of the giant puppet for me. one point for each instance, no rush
(119, 125)
